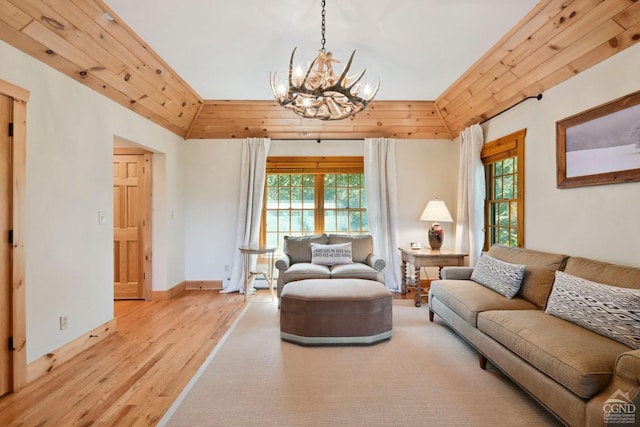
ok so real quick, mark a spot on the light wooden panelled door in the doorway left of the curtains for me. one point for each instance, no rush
(131, 222)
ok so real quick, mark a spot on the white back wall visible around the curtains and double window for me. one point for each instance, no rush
(426, 169)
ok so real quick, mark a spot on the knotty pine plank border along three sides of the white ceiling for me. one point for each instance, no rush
(556, 40)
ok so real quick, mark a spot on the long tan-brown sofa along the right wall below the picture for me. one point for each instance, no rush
(581, 376)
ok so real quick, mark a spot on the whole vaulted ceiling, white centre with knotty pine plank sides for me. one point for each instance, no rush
(200, 69)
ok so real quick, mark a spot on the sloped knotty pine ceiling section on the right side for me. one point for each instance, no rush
(555, 41)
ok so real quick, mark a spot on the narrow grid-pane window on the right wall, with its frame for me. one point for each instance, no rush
(503, 160)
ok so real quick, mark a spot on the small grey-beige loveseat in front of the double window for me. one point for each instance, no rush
(296, 262)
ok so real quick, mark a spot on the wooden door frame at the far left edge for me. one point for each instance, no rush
(18, 301)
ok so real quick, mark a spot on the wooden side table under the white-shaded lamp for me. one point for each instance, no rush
(424, 258)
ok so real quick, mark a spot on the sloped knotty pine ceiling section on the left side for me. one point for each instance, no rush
(78, 39)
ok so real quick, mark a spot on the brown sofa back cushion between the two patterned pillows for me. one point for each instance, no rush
(539, 270)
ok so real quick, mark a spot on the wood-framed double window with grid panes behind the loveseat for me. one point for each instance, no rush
(309, 195)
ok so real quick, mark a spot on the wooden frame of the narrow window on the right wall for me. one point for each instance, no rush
(508, 146)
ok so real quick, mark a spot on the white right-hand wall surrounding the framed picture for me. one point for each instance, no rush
(601, 222)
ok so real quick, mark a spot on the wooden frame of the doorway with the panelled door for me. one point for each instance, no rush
(146, 258)
